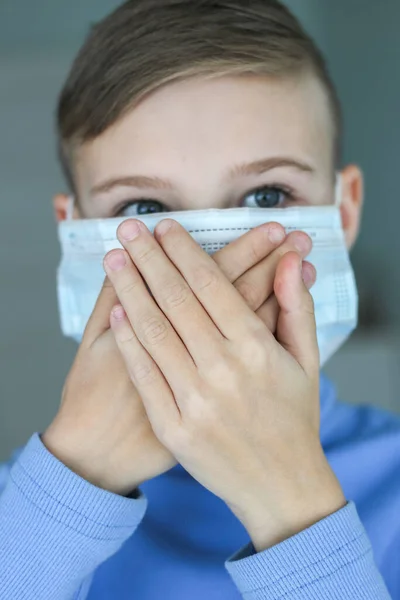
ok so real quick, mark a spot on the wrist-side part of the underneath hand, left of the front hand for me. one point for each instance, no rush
(101, 431)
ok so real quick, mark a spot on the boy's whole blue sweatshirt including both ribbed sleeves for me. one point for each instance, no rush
(62, 538)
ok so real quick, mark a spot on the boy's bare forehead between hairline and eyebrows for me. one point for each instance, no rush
(198, 126)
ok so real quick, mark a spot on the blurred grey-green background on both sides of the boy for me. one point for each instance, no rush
(38, 41)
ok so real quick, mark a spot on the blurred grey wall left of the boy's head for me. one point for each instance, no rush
(37, 43)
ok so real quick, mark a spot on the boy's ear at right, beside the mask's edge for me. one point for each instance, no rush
(351, 202)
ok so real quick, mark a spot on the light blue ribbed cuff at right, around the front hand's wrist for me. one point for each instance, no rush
(314, 554)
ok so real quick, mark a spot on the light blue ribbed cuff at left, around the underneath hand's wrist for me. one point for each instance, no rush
(71, 500)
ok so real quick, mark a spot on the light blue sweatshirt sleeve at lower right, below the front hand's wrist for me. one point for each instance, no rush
(331, 560)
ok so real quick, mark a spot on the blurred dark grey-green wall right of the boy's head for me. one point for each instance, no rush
(364, 52)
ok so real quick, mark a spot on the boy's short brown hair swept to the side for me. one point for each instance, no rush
(145, 44)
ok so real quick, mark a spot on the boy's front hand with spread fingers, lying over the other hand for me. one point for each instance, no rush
(238, 408)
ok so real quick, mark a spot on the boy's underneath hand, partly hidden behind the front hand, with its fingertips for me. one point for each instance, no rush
(101, 430)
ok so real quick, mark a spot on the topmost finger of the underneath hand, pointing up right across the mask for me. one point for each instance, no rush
(249, 249)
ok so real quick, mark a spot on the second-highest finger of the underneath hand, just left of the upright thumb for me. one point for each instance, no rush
(256, 285)
